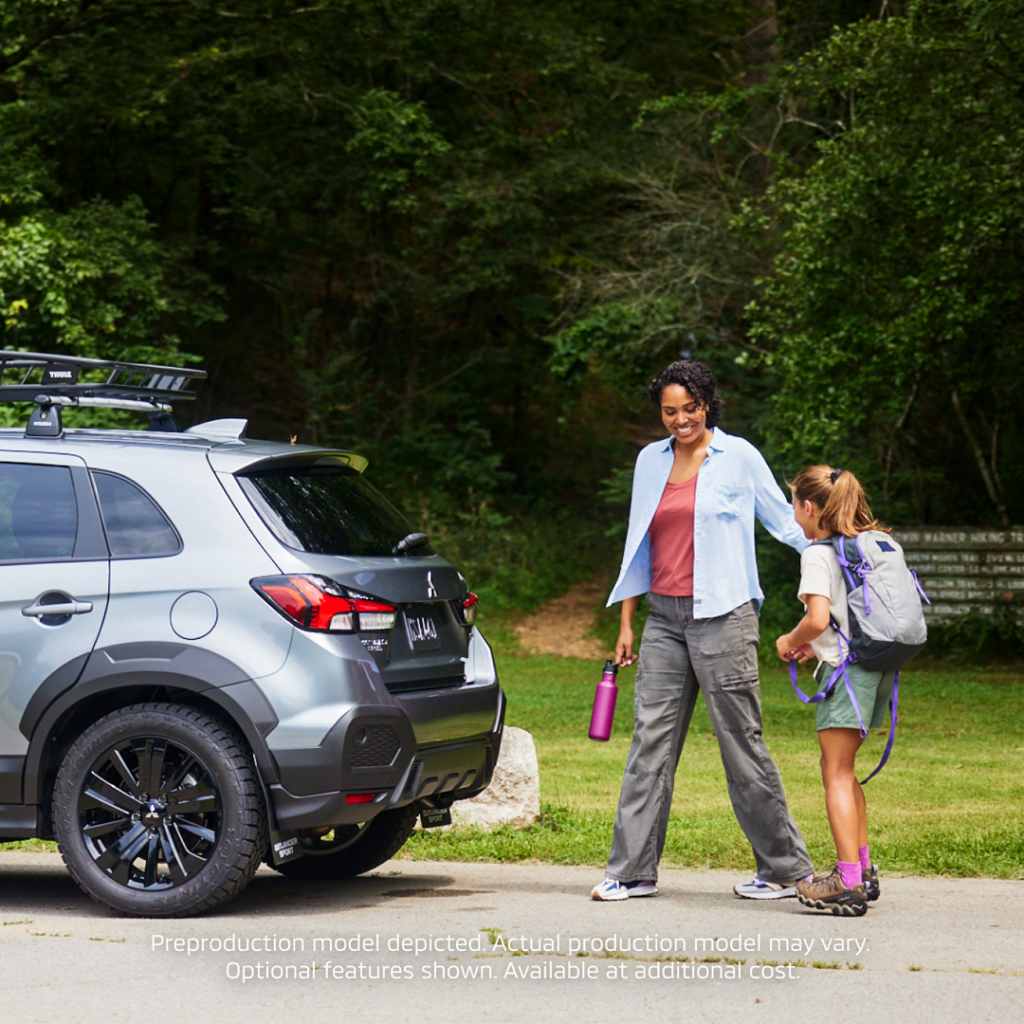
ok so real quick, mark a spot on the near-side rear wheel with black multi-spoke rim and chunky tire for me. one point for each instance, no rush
(197, 838)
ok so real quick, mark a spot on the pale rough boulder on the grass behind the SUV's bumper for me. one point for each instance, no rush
(515, 794)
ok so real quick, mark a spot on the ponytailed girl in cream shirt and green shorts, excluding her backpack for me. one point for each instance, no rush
(827, 502)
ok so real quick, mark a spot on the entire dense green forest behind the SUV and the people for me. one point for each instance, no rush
(460, 235)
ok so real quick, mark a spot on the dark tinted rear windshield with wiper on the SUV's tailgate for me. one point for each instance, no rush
(327, 510)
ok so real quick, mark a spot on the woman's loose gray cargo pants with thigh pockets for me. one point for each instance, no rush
(680, 655)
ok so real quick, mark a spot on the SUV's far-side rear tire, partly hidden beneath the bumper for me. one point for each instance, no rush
(351, 850)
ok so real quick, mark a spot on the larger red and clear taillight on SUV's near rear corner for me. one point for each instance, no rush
(314, 603)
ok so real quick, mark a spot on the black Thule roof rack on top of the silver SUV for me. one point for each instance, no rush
(52, 382)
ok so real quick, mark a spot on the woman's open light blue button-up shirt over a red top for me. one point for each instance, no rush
(735, 486)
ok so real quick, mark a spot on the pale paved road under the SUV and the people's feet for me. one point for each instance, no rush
(936, 952)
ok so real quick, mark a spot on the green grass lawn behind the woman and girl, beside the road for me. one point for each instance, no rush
(950, 802)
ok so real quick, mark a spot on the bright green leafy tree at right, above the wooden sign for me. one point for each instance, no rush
(898, 297)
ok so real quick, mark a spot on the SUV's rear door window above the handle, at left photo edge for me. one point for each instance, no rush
(38, 513)
